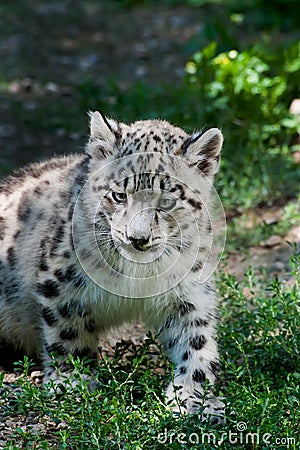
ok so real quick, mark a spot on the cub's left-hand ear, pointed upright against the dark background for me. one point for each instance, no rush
(103, 135)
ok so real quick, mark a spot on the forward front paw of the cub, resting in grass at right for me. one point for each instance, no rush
(184, 401)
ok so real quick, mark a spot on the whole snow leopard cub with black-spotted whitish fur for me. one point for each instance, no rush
(119, 233)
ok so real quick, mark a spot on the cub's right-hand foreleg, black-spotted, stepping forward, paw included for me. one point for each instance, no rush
(188, 337)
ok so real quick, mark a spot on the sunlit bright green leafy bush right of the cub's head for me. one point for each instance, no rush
(252, 104)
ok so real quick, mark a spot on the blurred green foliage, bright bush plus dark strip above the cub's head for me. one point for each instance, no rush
(246, 93)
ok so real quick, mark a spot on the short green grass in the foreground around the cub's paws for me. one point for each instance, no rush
(259, 344)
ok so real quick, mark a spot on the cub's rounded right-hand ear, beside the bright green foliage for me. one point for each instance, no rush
(203, 151)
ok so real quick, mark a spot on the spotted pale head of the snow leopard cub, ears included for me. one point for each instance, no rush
(149, 191)
